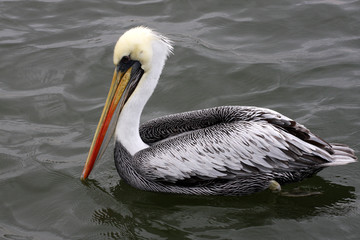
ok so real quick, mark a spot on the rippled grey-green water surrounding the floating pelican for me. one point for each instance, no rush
(297, 57)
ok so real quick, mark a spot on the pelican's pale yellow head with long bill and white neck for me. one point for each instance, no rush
(139, 57)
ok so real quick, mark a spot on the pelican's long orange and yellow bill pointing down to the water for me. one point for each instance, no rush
(118, 94)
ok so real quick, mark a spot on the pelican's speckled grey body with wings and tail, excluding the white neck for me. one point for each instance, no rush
(225, 151)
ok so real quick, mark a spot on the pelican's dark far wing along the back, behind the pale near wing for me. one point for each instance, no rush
(162, 128)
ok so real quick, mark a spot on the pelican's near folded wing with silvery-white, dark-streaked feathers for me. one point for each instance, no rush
(223, 151)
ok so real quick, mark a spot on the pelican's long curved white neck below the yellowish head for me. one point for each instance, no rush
(127, 129)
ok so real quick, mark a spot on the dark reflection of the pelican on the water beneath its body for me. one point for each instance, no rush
(147, 214)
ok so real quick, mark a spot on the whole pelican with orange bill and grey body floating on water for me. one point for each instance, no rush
(228, 150)
